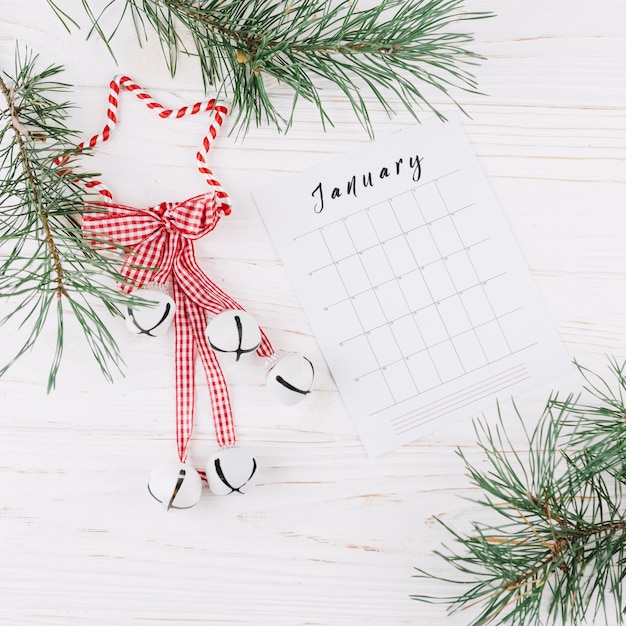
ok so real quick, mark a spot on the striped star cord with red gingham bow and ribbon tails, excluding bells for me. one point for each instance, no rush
(160, 243)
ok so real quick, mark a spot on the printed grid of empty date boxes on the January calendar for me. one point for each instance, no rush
(414, 319)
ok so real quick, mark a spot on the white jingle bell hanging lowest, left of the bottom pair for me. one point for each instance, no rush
(175, 485)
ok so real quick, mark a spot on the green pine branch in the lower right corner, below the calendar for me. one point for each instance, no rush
(558, 555)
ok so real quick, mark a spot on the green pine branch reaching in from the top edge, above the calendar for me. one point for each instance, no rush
(407, 49)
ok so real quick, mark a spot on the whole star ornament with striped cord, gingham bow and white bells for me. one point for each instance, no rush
(162, 237)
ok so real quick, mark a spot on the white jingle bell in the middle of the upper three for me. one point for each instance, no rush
(235, 332)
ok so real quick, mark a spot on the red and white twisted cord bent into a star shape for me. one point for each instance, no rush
(219, 110)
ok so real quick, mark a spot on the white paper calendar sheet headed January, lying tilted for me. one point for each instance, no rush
(411, 280)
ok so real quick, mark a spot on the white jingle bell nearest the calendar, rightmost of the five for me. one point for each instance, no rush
(290, 378)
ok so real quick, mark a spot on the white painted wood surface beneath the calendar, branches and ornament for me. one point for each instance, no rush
(328, 536)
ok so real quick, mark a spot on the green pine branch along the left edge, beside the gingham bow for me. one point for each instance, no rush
(44, 260)
